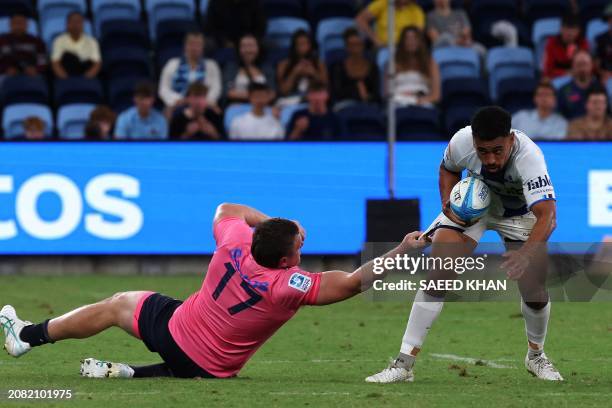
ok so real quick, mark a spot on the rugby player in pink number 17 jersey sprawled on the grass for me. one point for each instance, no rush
(253, 286)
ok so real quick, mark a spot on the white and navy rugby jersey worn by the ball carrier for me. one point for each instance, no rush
(523, 182)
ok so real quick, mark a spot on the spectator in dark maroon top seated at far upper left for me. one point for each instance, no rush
(20, 52)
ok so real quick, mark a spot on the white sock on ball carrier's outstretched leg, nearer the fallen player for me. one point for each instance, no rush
(425, 310)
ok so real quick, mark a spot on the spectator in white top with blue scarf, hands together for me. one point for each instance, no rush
(180, 72)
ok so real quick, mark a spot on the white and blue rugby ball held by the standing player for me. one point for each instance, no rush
(470, 199)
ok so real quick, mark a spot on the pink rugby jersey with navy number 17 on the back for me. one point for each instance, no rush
(240, 304)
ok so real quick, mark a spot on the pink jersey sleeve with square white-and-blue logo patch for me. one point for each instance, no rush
(297, 288)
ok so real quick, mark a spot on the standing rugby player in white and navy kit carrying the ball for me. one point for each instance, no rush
(522, 212)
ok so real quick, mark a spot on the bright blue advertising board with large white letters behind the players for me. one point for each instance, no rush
(159, 198)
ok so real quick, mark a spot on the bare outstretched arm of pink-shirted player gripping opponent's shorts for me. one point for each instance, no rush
(339, 285)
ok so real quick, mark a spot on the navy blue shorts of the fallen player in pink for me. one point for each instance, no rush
(155, 313)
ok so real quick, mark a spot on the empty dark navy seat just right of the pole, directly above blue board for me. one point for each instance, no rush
(418, 123)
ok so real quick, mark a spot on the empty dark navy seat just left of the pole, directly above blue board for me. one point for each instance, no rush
(361, 122)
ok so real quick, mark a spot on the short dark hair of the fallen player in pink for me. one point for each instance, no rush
(272, 240)
